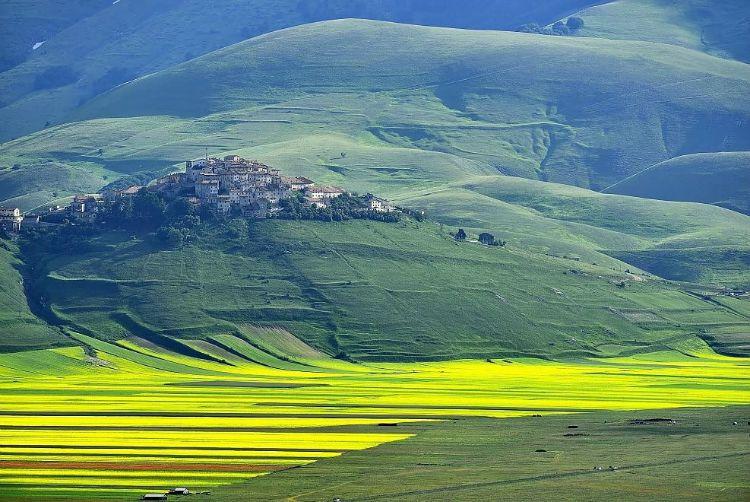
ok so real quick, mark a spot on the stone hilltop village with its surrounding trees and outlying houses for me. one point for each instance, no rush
(229, 186)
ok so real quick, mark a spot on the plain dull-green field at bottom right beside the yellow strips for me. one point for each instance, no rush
(701, 457)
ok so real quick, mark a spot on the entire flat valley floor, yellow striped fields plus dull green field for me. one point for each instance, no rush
(116, 422)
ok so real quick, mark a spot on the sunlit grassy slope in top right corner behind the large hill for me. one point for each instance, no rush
(718, 28)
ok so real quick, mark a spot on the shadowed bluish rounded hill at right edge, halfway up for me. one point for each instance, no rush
(721, 178)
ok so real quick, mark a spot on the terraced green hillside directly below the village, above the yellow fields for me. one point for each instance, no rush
(369, 291)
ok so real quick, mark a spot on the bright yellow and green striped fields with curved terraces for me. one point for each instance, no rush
(118, 420)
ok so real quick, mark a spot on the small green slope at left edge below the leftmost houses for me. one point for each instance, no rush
(19, 328)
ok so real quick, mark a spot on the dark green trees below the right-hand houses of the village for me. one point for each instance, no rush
(342, 208)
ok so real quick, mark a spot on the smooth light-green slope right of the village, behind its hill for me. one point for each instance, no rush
(680, 241)
